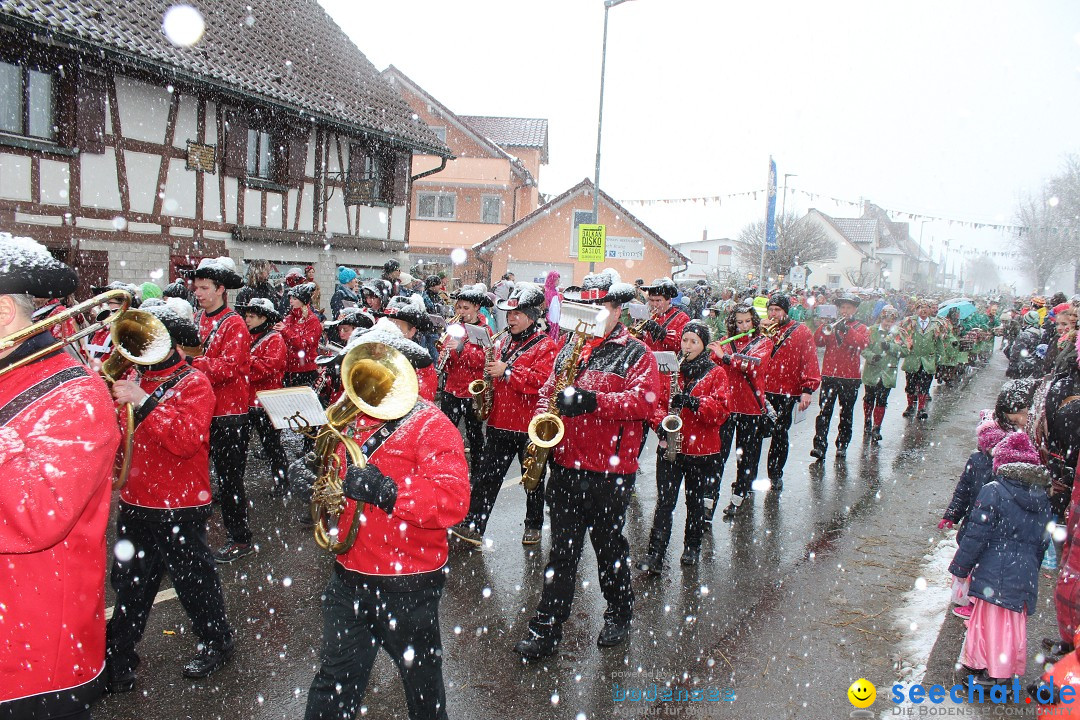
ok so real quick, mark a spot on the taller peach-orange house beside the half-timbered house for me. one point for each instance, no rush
(490, 184)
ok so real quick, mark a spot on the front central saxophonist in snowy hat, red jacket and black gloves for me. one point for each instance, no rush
(592, 470)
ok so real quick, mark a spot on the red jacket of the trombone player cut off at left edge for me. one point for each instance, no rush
(57, 461)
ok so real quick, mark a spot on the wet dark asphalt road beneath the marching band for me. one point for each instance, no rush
(680, 618)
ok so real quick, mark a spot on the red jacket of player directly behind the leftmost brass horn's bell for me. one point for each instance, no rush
(226, 360)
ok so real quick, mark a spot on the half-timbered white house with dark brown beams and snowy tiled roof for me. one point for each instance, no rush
(272, 138)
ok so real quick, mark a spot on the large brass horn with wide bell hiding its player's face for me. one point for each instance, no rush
(380, 383)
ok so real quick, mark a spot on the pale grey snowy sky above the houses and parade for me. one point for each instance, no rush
(948, 110)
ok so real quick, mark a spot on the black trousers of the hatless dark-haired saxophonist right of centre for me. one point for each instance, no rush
(697, 473)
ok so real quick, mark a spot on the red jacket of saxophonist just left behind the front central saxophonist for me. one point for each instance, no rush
(518, 392)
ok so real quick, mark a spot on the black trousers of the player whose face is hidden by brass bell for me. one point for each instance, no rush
(359, 619)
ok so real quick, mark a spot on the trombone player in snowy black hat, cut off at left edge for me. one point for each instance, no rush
(53, 512)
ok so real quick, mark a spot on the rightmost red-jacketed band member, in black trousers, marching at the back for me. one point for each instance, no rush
(844, 343)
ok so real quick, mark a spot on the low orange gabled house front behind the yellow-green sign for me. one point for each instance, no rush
(547, 240)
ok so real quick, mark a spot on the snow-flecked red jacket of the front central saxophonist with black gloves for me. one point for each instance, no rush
(624, 374)
